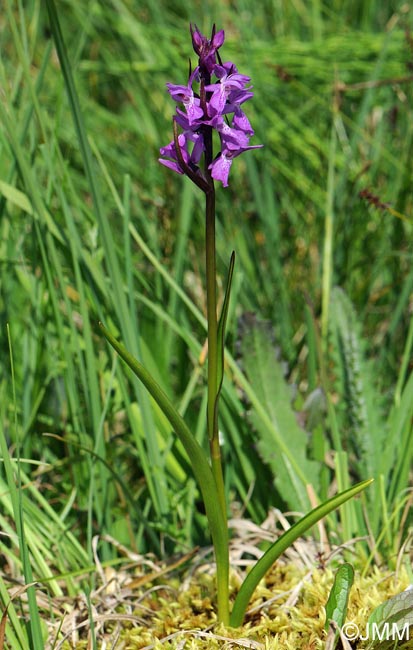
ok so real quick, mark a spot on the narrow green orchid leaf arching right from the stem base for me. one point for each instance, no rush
(285, 541)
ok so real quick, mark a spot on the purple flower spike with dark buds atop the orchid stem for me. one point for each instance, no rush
(220, 91)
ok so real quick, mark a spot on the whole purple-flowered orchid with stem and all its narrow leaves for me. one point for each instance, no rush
(212, 101)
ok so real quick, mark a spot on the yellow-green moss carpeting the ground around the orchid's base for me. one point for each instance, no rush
(174, 609)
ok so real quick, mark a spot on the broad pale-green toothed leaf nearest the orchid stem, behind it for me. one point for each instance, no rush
(281, 441)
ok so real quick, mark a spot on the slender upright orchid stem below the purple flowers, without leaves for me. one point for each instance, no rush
(213, 389)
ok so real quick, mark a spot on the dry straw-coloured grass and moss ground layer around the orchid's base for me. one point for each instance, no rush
(151, 605)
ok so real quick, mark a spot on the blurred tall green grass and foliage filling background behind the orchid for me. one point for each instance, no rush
(318, 384)
